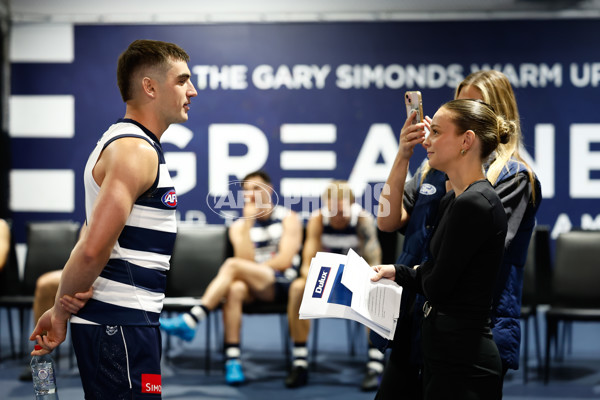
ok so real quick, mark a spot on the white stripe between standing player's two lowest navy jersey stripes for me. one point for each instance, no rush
(119, 294)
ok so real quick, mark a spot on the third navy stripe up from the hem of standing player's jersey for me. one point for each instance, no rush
(149, 240)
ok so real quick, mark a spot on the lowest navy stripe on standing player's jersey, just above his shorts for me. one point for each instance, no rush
(110, 314)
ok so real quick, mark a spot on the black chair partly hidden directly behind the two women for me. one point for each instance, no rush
(536, 266)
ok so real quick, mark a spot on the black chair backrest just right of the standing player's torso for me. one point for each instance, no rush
(198, 254)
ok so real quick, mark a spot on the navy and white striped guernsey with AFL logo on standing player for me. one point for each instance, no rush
(131, 287)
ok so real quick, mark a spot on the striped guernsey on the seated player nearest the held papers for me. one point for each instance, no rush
(341, 240)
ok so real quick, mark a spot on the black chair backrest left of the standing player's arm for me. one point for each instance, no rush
(49, 245)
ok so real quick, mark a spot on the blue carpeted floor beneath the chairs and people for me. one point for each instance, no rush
(336, 375)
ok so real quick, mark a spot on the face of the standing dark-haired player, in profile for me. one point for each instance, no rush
(176, 90)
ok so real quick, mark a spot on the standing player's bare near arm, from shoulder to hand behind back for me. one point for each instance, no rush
(124, 171)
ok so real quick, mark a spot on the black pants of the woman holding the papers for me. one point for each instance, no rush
(461, 360)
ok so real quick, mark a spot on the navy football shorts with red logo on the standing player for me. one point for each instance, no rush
(118, 362)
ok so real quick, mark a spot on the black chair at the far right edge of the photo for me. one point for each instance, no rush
(576, 279)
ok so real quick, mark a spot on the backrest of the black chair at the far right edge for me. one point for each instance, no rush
(576, 280)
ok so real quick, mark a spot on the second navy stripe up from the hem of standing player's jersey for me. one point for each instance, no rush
(130, 274)
